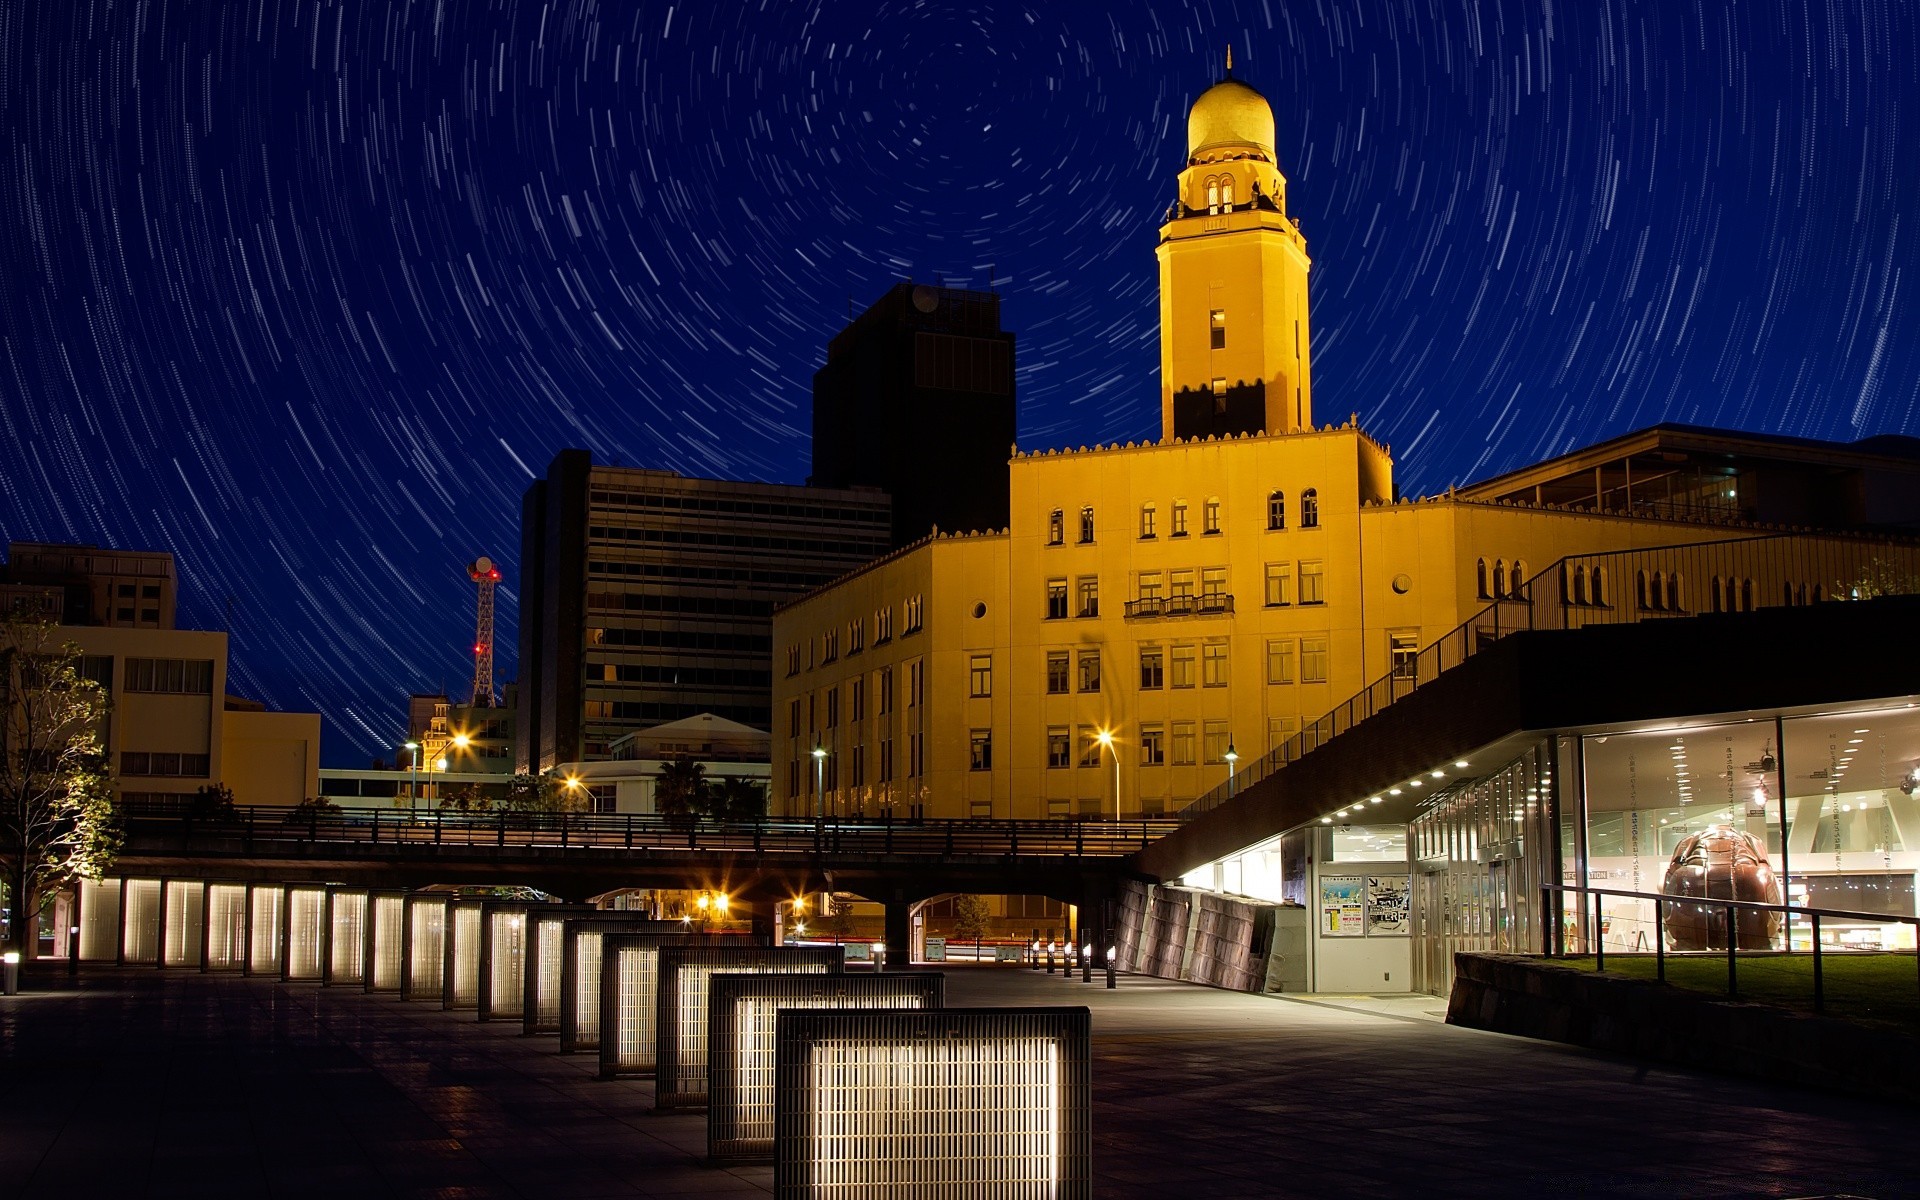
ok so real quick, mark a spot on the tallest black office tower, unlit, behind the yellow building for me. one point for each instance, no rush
(919, 400)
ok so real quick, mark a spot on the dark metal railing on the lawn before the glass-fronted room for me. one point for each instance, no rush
(1591, 926)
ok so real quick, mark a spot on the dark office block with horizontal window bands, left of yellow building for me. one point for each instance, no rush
(648, 598)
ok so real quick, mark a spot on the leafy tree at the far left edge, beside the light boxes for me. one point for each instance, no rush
(57, 800)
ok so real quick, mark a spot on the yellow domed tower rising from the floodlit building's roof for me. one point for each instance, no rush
(1234, 279)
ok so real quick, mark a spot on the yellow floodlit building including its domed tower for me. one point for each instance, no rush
(1159, 610)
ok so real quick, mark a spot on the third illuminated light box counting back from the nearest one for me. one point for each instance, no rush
(681, 1015)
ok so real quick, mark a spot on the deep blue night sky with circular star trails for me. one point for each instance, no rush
(308, 291)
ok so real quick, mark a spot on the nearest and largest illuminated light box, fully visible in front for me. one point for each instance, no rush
(980, 1103)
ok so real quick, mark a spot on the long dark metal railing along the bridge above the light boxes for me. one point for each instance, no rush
(260, 828)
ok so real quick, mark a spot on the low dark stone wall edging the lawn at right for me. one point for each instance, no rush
(1533, 997)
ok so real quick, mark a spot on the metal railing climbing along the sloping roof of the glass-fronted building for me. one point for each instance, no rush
(1729, 575)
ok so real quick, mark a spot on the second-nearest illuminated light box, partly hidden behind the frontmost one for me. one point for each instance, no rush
(742, 1017)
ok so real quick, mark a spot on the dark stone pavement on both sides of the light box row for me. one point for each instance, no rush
(149, 1084)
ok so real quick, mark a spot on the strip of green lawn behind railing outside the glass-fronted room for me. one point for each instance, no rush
(1879, 988)
